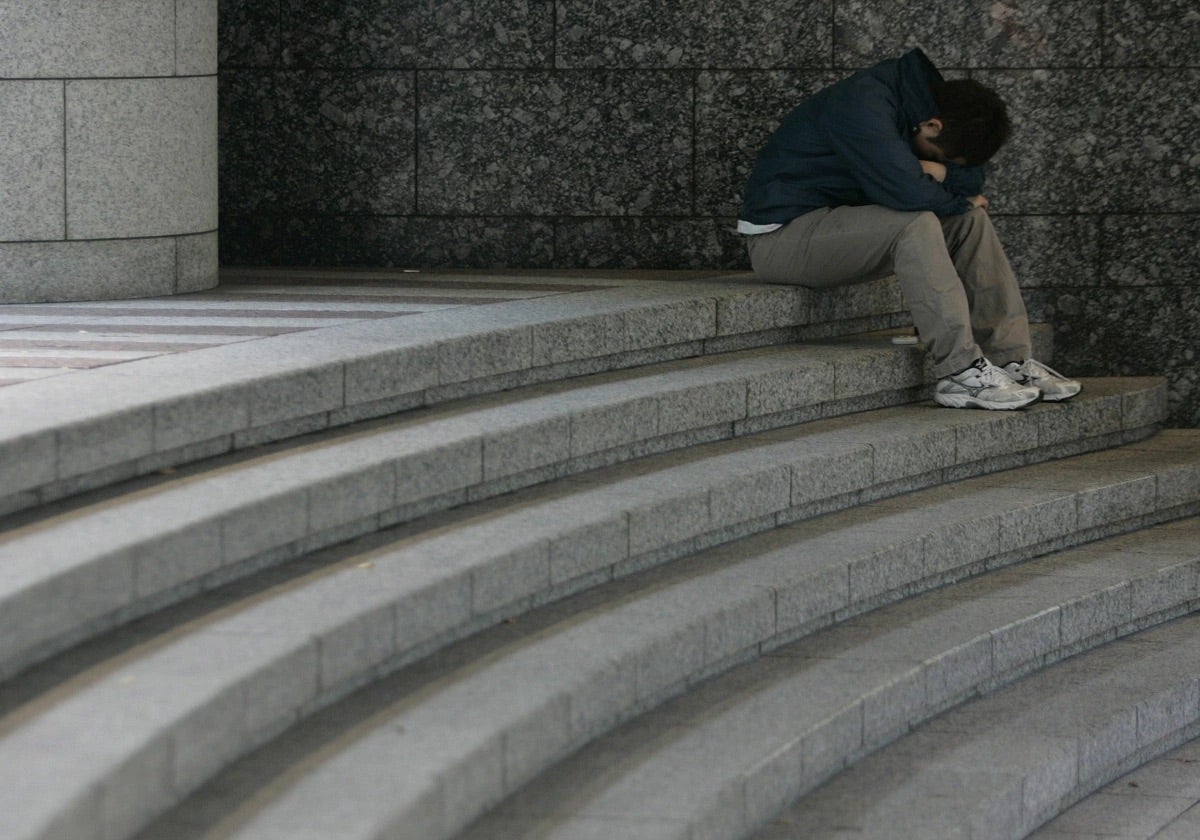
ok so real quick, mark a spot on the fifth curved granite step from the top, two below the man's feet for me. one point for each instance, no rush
(747, 784)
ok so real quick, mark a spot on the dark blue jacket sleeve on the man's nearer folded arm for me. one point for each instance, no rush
(861, 129)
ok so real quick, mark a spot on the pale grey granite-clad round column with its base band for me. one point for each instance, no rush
(109, 148)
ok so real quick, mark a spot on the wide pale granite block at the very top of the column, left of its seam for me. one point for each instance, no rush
(86, 39)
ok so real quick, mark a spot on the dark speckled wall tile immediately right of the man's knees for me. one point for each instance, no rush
(1052, 250)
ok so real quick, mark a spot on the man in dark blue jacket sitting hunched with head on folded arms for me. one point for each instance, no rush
(883, 173)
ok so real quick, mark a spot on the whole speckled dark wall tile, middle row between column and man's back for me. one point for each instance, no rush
(568, 143)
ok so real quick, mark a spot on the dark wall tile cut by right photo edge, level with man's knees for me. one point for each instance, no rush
(1151, 250)
